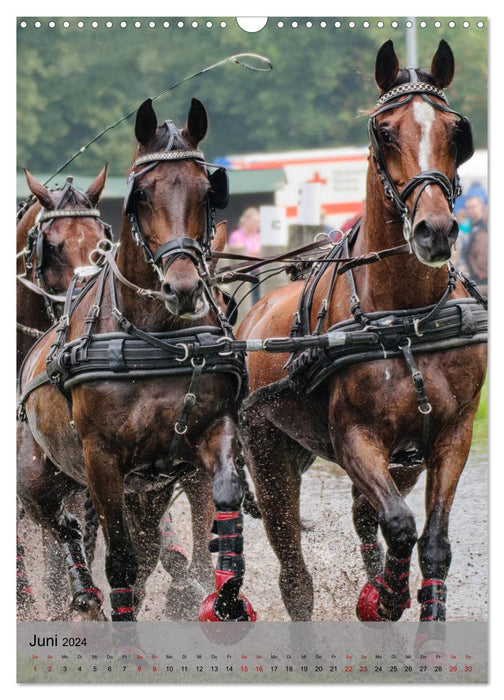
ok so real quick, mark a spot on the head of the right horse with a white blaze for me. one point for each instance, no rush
(418, 142)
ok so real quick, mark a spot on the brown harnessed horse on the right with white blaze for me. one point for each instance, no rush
(420, 392)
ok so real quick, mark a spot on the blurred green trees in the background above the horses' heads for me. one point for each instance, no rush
(73, 82)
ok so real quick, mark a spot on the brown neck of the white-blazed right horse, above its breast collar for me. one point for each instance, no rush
(400, 281)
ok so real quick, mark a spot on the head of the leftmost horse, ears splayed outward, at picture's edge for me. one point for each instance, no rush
(66, 228)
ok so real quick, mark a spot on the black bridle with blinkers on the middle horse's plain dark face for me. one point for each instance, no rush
(182, 246)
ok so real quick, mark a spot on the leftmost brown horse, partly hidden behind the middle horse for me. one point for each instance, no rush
(55, 235)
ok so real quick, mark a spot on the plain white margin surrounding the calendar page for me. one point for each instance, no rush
(237, 8)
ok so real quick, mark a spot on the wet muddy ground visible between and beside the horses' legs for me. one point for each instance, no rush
(331, 551)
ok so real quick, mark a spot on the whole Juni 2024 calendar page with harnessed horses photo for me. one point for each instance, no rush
(252, 451)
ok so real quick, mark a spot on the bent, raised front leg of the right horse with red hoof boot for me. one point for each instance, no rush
(366, 462)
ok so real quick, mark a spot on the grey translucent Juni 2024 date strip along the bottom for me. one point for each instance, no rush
(252, 653)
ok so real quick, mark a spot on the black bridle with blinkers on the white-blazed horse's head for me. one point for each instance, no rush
(464, 142)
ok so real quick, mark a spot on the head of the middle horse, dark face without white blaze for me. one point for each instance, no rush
(170, 201)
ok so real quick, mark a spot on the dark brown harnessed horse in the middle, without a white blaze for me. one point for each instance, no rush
(131, 391)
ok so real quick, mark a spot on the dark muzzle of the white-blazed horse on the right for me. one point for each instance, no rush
(433, 240)
